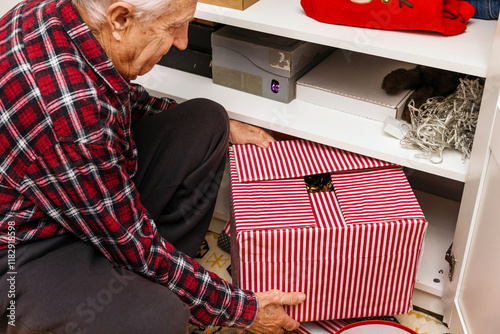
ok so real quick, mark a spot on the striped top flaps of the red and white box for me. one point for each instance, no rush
(269, 191)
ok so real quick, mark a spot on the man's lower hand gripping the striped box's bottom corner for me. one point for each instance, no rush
(271, 317)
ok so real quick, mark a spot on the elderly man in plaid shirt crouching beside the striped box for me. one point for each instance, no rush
(95, 223)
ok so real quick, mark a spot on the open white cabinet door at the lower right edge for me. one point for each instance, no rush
(477, 299)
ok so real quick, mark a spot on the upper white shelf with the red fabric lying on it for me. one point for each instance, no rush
(466, 53)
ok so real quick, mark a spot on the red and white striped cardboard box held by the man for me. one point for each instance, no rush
(354, 251)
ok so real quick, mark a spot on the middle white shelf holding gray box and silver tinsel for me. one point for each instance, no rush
(300, 119)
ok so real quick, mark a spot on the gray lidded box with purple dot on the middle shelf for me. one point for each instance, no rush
(262, 64)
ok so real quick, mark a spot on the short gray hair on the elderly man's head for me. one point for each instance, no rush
(146, 10)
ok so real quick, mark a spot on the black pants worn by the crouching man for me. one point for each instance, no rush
(63, 285)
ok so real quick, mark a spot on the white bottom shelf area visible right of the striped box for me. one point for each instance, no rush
(441, 215)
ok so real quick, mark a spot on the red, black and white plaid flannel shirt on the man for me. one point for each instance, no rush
(67, 157)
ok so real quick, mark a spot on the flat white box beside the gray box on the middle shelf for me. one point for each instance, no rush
(352, 82)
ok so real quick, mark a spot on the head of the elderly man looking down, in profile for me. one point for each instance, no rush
(136, 33)
